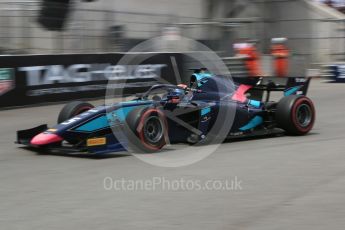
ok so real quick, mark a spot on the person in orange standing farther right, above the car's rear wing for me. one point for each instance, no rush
(280, 53)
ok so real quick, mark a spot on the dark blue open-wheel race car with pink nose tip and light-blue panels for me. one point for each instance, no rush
(211, 108)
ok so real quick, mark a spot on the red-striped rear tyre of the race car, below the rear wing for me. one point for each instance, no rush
(295, 114)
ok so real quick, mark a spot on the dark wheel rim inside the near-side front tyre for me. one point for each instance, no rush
(153, 129)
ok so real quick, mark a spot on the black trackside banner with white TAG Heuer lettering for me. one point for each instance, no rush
(32, 79)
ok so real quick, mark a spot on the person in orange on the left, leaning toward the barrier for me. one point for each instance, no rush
(252, 59)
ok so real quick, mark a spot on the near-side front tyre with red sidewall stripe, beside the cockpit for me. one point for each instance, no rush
(149, 127)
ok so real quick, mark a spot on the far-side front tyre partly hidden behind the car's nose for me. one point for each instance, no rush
(73, 109)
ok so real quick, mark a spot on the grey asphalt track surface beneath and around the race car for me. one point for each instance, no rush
(286, 182)
